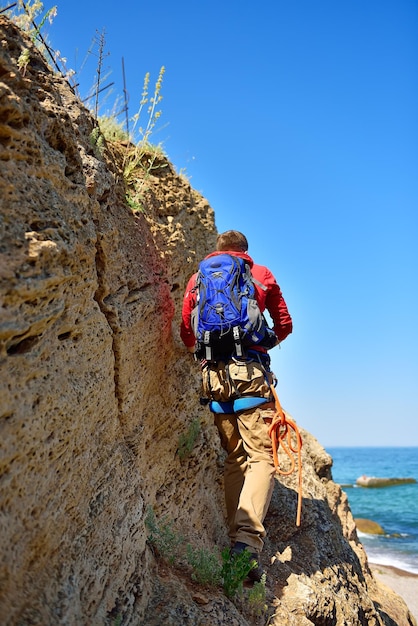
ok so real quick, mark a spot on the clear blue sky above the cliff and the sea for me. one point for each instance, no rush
(297, 120)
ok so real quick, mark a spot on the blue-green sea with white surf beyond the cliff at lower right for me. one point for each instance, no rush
(395, 508)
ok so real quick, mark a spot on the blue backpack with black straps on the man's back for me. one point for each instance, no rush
(227, 318)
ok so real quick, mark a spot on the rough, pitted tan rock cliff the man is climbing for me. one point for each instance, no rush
(96, 389)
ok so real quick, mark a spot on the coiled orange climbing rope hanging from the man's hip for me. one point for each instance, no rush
(280, 432)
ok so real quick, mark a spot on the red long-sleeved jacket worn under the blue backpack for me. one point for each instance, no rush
(270, 299)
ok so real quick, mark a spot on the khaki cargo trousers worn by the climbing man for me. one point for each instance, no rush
(249, 469)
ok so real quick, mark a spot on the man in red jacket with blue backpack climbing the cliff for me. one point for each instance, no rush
(236, 381)
